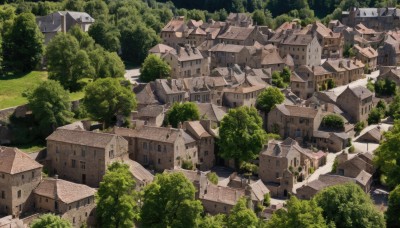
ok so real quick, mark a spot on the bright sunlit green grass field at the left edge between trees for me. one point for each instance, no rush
(12, 87)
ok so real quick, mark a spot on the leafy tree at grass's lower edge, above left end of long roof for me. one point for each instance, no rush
(50, 105)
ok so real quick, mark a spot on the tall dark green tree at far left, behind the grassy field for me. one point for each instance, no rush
(23, 44)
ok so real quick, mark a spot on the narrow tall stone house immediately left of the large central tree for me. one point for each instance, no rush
(204, 135)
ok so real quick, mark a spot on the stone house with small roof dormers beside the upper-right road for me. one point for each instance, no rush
(345, 70)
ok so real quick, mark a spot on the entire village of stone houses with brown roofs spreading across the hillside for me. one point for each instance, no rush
(324, 131)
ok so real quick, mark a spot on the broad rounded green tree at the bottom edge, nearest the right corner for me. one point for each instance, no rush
(348, 205)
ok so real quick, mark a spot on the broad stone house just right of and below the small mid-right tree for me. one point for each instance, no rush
(294, 121)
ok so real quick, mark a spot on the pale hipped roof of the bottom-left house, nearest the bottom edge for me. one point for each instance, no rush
(67, 192)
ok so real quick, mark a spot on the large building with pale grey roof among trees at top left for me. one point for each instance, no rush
(62, 21)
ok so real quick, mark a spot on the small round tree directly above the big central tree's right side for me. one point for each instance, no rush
(269, 98)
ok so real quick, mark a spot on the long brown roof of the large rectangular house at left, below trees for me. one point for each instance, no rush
(77, 137)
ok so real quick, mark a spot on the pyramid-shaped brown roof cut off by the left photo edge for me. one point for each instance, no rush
(13, 161)
